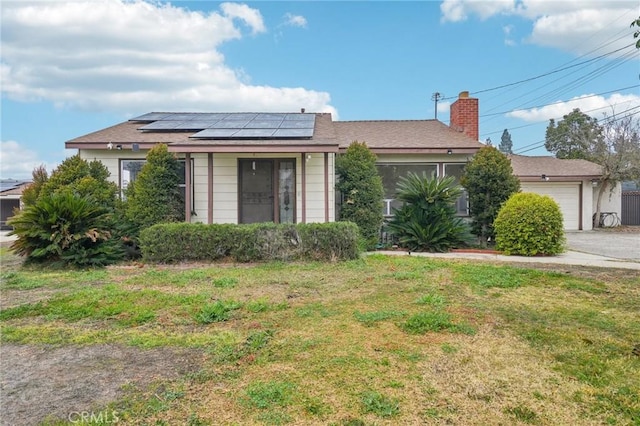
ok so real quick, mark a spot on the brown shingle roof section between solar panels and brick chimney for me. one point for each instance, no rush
(402, 136)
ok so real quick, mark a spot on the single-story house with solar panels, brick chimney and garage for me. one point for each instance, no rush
(280, 167)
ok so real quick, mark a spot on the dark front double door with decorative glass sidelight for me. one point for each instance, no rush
(267, 190)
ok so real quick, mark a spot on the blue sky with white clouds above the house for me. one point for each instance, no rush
(70, 68)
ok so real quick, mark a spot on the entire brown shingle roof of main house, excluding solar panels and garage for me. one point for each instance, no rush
(385, 136)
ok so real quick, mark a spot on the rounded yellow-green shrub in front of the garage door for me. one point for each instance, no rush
(530, 224)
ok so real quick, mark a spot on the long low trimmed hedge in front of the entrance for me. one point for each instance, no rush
(176, 242)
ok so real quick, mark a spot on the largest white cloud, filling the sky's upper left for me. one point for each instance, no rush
(115, 55)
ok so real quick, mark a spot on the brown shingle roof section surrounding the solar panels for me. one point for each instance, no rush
(128, 133)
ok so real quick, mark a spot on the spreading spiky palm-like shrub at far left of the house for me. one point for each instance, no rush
(66, 229)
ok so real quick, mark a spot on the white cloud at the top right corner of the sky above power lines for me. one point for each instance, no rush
(572, 25)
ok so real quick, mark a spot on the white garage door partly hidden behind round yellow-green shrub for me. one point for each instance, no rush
(567, 195)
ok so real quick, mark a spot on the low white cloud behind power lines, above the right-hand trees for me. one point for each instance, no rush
(595, 106)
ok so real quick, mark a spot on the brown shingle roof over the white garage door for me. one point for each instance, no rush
(532, 168)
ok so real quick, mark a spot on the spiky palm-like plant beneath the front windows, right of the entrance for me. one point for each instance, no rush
(427, 220)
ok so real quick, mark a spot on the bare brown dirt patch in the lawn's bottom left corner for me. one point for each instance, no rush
(40, 382)
